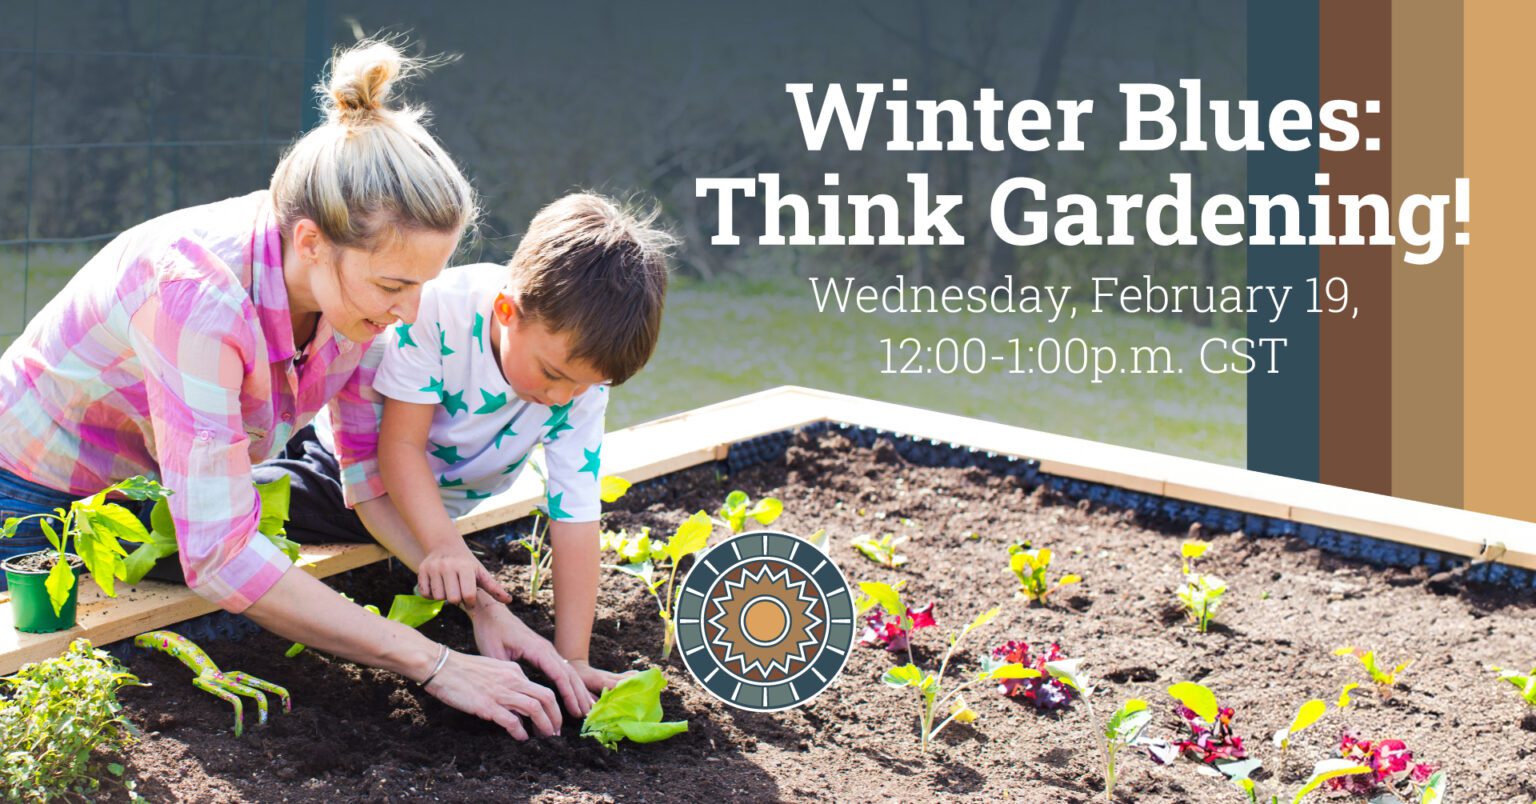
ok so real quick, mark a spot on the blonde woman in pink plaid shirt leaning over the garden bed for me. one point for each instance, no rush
(196, 344)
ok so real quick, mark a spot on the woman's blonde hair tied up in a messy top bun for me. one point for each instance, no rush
(371, 170)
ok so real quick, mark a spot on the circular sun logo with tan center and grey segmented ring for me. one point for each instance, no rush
(766, 622)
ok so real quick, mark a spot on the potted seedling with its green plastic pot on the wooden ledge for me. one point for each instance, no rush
(85, 539)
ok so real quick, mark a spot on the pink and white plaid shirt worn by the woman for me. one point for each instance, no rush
(171, 354)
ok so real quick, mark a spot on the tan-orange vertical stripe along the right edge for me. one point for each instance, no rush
(1500, 284)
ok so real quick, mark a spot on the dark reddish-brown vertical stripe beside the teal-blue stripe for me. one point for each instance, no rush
(1356, 354)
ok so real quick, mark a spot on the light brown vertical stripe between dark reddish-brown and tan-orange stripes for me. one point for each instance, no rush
(1428, 301)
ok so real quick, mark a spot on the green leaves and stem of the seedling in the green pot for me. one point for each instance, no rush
(93, 528)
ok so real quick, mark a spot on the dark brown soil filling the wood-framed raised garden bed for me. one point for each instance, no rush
(365, 736)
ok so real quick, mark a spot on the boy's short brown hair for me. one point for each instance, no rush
(597, 270)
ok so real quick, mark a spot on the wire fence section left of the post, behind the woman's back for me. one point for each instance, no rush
(119, 111)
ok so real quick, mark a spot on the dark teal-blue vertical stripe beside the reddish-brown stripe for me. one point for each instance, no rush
(1283, 408)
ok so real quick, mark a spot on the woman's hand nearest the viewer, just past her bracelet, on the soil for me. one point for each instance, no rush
(497, 691)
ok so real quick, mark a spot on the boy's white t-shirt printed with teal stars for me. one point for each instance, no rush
(482, 433)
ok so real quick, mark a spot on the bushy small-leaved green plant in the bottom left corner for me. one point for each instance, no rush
(59, 722)
